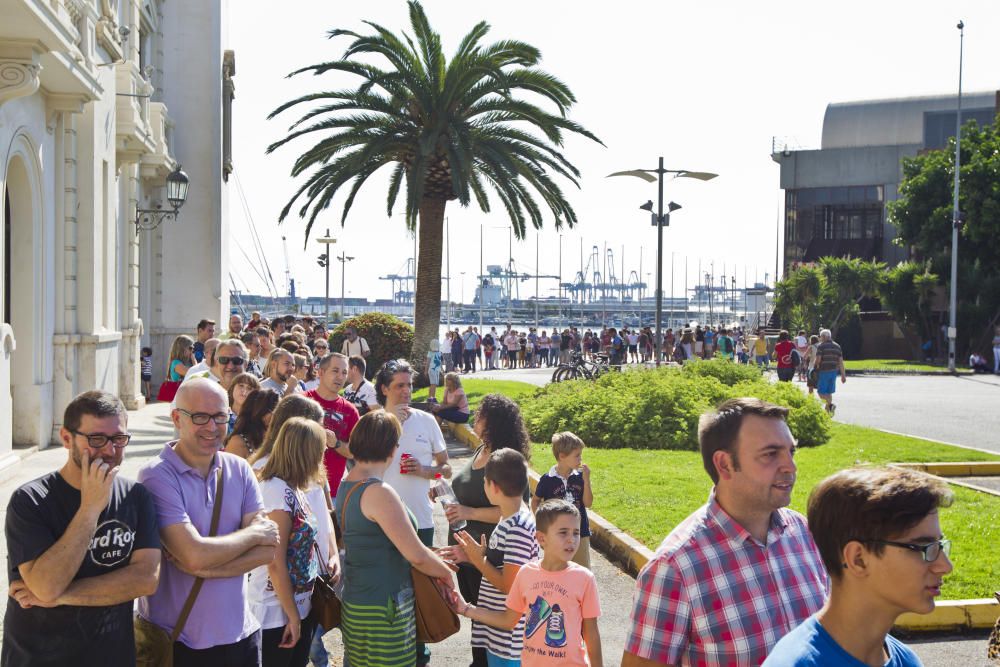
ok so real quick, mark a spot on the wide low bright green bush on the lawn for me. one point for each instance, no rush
(660, 408)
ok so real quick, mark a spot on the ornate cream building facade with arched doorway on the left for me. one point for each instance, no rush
(99, 101)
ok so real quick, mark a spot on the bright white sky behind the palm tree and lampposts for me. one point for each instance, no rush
(707, 86)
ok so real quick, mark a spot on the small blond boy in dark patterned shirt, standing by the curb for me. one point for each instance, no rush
(569, 480)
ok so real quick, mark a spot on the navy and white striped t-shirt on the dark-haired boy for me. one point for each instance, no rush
(511, 543)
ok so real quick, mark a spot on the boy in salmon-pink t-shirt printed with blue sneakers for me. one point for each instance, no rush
(556, 599)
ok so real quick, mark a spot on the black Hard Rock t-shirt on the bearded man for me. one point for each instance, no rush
(37, 516)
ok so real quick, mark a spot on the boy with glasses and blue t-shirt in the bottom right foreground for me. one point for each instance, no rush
(878, 532)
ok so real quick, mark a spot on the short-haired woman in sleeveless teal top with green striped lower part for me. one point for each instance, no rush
(381, 545)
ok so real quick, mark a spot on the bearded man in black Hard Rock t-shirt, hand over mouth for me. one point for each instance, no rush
(82, 544)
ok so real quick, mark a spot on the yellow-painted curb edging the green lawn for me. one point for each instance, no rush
(629, 554)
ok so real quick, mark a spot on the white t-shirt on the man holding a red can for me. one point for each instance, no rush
(421, 439)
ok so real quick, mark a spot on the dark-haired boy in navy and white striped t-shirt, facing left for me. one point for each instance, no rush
(511, 545)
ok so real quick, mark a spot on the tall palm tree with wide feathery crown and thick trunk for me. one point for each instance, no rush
(450, 129)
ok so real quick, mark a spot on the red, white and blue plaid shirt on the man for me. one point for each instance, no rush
(714, 596)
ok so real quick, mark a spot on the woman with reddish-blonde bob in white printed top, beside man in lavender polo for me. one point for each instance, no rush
(281, 591)
